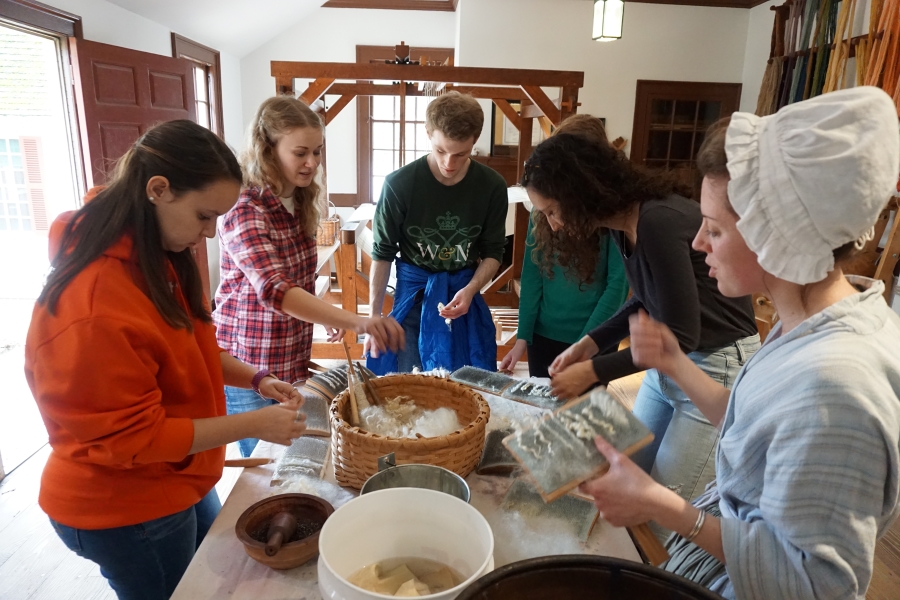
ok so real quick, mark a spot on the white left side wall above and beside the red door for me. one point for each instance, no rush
(110, 24)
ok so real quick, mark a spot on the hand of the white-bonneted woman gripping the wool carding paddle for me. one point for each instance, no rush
(625, 495)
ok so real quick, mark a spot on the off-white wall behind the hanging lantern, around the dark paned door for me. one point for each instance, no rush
(659, 42)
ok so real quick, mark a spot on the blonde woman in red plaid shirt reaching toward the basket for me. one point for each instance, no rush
(265, 304)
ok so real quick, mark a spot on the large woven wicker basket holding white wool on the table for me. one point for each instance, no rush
(355, 452)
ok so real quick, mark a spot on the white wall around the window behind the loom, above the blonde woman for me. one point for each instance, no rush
(331, 35)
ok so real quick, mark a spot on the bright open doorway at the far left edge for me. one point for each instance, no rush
(39, 179)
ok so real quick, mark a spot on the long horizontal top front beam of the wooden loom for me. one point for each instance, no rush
(392, 72)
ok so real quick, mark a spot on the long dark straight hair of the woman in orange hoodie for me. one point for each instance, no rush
(191, 158)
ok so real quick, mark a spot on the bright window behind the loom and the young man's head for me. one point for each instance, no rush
(378, 125)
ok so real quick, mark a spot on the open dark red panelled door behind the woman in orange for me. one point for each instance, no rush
(119, 94)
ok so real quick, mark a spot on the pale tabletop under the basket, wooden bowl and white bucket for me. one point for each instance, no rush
(221, 568)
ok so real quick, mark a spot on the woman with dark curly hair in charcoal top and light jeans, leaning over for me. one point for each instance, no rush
(583, 187)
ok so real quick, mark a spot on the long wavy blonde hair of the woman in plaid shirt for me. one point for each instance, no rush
(274, 118)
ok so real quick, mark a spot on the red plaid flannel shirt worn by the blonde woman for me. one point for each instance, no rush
(264, 253)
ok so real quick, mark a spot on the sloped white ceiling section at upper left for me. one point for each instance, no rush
(234, 26)
